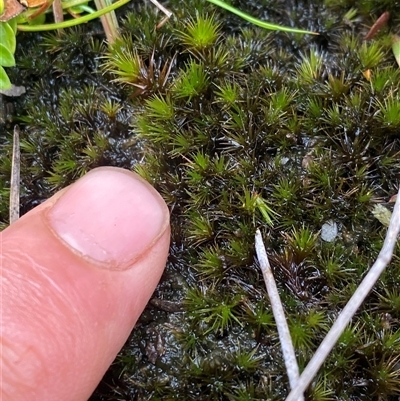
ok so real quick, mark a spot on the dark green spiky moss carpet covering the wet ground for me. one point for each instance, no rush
(238, 128)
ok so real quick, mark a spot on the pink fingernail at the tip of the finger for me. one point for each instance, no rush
(110, 216)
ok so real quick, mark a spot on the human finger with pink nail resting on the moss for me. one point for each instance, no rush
(76, 273)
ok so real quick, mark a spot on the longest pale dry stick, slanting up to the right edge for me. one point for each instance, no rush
(384, 257)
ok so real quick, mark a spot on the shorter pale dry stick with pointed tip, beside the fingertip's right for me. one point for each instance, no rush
(279, 315)
